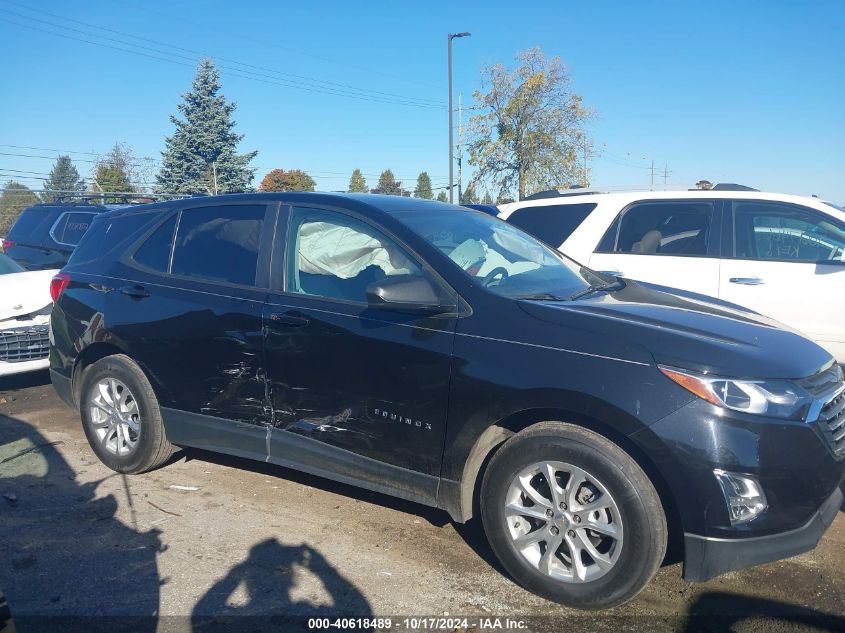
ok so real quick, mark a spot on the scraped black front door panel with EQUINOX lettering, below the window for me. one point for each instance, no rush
(373, 382)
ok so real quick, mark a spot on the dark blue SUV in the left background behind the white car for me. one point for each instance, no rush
(45, 235)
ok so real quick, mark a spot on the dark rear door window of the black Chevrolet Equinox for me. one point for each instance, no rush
(219, 243)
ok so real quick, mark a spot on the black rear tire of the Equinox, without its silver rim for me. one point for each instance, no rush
(152, 448)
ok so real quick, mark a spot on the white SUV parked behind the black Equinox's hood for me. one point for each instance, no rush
(780, 255)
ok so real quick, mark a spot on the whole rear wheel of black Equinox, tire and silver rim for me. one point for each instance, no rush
(121, 416)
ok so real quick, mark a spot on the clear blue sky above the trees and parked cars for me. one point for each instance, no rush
(749, 92)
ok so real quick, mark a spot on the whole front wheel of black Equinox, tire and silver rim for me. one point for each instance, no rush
(572, 517)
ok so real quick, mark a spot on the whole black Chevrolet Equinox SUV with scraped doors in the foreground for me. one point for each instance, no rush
(441, 355)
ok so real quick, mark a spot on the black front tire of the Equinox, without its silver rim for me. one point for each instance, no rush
(645, 533)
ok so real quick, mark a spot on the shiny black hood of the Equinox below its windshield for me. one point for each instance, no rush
(691, 331)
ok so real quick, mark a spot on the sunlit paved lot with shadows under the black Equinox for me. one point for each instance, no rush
(215, 536)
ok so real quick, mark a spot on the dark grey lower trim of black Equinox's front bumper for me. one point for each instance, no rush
(706, 557)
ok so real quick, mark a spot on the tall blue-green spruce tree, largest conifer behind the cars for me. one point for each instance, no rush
(201, 155)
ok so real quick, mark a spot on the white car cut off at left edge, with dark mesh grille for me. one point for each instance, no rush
(25, 306)
